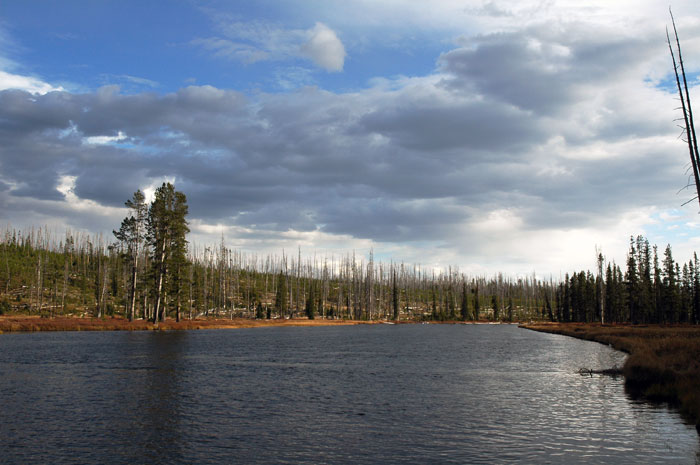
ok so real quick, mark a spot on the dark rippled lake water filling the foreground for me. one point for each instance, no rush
(353, 394)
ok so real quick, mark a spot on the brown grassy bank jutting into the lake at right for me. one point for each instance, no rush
(663, 362)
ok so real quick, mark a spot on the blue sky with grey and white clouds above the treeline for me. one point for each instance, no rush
(491, 136)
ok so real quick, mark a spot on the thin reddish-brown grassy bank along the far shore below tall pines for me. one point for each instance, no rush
(30, 323)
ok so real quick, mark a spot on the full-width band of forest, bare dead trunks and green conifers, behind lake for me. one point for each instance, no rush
(151, 272)
